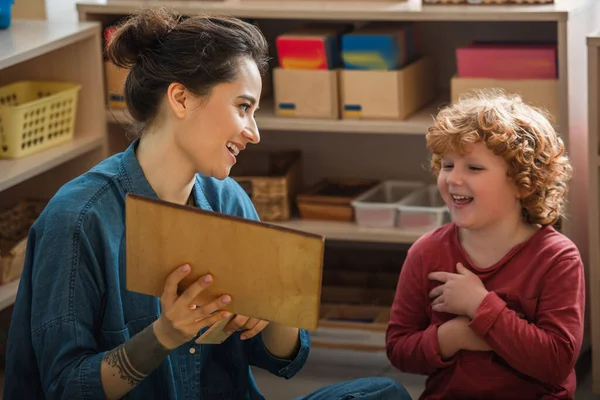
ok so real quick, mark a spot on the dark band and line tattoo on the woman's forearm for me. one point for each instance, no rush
(138, 357)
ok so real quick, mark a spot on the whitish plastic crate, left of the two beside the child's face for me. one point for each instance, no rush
(378, 208)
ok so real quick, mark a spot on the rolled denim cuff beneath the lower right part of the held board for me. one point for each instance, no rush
(260, 357)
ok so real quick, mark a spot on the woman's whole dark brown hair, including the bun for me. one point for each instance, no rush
(159, 48)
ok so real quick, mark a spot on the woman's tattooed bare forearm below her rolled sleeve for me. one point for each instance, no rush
(128, 364)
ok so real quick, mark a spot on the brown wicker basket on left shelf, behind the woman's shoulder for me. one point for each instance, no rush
(14, 227)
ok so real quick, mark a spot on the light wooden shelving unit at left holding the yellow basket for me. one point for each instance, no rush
(41, 50)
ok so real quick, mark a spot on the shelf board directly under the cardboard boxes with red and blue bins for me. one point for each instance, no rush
(417, 124)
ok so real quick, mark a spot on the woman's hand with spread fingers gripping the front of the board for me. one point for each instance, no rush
(181, 319)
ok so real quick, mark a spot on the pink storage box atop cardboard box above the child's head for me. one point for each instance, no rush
(507, 61)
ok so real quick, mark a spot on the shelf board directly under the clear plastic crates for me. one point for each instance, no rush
(349, 231)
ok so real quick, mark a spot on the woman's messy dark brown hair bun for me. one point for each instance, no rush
(138, 34)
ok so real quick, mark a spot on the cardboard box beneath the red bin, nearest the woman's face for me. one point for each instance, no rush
(306, 93)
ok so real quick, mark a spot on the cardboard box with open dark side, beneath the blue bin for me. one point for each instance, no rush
(387, 94)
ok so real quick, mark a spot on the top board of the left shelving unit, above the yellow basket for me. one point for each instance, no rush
(27, 39)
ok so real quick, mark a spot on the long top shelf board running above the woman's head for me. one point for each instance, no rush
(411, 10)
